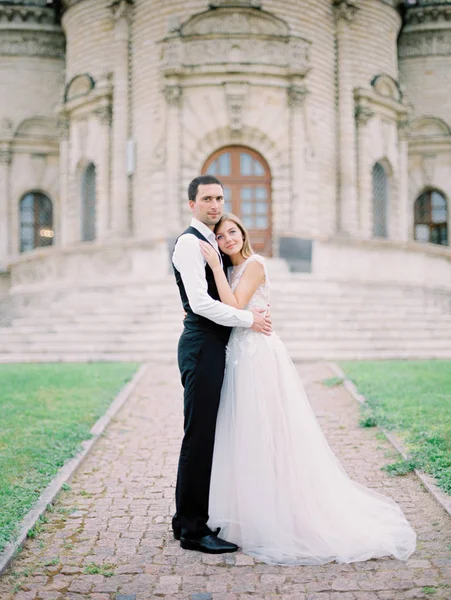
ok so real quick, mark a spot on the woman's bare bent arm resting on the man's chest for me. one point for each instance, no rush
(252, 277)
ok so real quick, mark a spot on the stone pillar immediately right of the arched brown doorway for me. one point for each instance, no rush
(299, 209)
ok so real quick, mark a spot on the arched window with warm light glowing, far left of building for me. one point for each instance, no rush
(36, 221)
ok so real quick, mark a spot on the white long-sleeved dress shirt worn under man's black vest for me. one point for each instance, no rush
(190, 263)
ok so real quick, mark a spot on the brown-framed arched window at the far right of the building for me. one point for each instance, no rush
(431, 218)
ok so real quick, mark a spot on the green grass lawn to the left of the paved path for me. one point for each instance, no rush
(46, 411)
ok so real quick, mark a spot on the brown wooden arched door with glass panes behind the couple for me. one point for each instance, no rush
(247, 190)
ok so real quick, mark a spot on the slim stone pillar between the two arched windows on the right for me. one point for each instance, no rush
(405, 213)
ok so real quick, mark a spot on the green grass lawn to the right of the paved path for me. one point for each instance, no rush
(414, 399)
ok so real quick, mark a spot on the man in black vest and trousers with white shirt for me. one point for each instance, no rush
(201, 359)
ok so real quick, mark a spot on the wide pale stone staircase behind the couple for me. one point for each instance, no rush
(316, 320)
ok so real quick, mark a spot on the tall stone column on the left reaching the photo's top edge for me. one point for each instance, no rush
(119, 224)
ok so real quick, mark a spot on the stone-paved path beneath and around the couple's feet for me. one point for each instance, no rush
(108, 537)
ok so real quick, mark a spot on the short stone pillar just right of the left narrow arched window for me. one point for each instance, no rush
(103, 175)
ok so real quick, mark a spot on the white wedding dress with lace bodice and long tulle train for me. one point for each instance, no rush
(277, 489)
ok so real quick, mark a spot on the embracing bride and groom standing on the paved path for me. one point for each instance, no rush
(255, 470)
